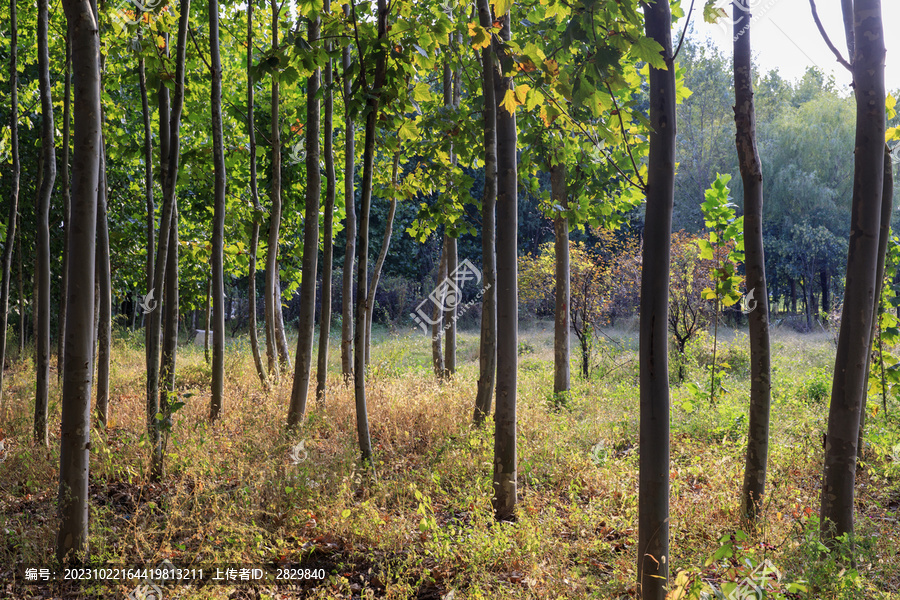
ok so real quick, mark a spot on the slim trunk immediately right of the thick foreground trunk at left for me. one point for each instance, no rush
(104, 281)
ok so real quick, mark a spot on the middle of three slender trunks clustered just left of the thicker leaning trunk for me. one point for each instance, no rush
(274, 219)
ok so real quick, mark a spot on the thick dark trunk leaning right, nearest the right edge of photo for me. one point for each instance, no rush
(852, 354)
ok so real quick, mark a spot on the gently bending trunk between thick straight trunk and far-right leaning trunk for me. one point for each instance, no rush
(755, 262)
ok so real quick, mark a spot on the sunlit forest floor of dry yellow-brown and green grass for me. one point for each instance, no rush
(244, 492)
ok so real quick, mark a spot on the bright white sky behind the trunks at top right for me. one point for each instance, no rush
(784, 36)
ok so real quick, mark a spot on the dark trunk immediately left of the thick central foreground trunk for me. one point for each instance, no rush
(487, 354)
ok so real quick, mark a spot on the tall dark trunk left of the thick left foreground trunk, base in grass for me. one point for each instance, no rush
(42, 275)
